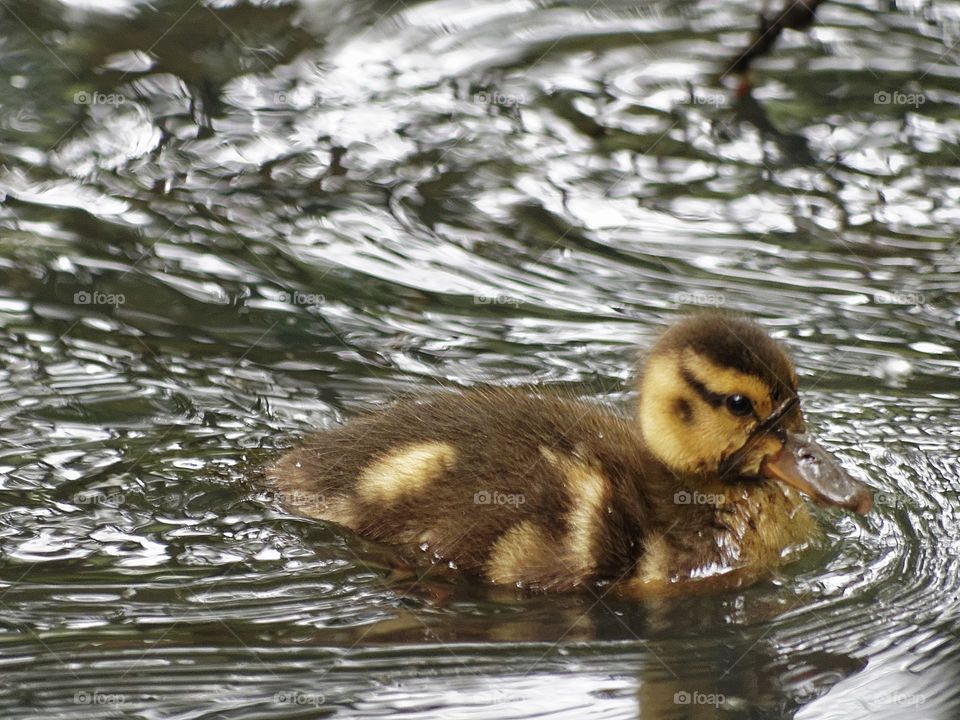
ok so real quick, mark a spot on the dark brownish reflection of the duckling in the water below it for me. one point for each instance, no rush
(698, 657)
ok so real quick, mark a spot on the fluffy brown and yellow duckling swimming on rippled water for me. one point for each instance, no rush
(524, 487)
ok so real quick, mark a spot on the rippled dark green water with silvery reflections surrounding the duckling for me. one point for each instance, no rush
(227, 225)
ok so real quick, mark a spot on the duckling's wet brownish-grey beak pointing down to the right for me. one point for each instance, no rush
(816, 473)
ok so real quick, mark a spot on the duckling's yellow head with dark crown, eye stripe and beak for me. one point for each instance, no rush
(718, 399)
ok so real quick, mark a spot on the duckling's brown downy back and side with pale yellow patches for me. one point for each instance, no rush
(534, 490)
